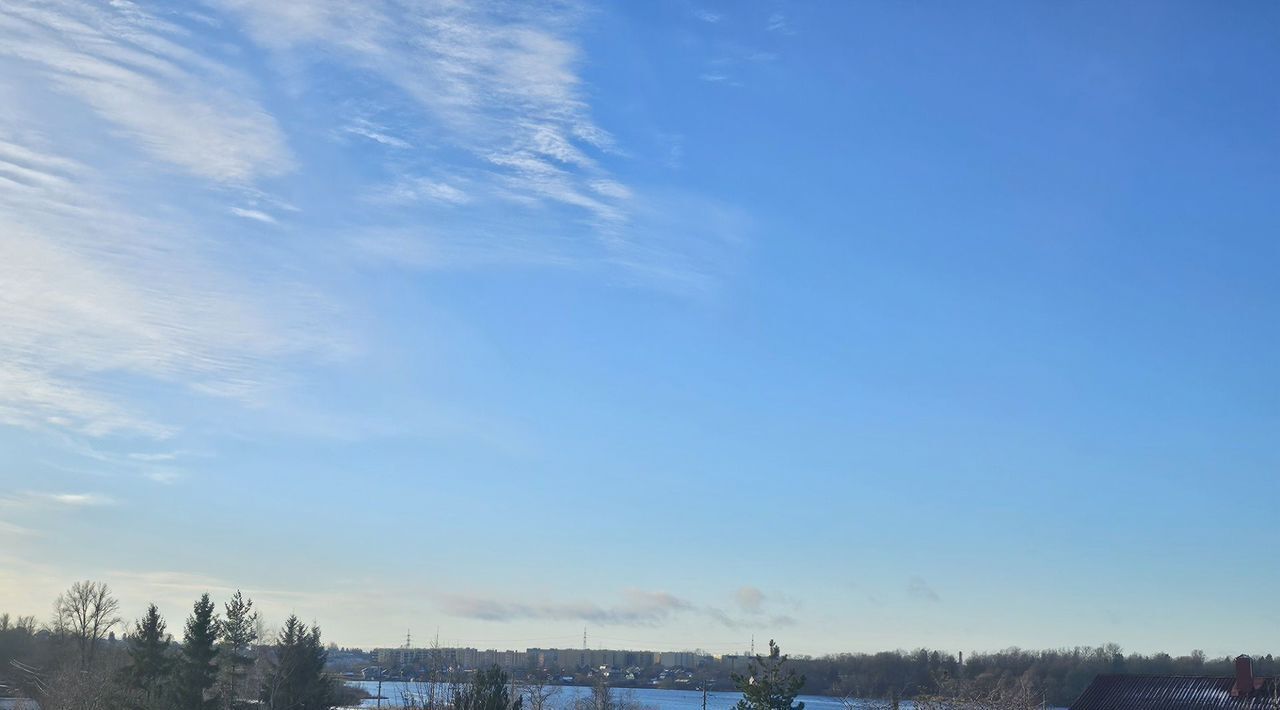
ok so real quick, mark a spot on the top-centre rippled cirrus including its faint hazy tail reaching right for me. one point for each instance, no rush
(513, 134)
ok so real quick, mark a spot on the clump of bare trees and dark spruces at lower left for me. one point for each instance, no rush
(76, 661)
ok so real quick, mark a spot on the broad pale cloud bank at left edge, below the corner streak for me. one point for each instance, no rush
(95, 294)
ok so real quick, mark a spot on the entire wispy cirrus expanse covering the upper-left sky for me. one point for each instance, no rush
(135, 140)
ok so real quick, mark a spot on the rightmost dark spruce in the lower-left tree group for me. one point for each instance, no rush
(296, 680)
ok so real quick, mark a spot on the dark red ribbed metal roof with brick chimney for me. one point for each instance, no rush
(1183, 693)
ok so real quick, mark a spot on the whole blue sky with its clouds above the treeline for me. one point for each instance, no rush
(857, 326)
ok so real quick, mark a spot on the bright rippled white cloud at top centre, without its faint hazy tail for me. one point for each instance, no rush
(499, 81)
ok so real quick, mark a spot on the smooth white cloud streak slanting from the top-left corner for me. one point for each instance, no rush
(135, 72)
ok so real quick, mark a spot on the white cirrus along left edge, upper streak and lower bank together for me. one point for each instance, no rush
(102, 285)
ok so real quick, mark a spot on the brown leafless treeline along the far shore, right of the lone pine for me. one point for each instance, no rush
(1058, 676)
